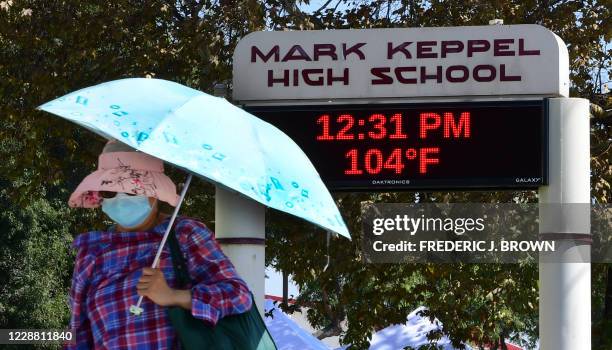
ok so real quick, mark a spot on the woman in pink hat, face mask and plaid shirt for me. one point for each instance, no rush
(112, 267)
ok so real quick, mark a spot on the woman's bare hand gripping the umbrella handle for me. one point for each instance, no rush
(152, 285)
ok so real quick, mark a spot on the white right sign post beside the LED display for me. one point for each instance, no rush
(565, 285)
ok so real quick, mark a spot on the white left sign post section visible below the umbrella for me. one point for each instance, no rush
(240, 229)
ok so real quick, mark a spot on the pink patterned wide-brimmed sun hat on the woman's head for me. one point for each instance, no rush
(124, 169)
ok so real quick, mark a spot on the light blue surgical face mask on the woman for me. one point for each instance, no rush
(127, 211)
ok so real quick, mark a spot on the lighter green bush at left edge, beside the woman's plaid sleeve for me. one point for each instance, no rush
(35, 270)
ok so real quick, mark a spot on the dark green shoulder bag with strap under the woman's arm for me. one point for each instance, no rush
(245, 331)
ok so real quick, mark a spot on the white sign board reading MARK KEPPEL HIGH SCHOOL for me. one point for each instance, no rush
(400, 63)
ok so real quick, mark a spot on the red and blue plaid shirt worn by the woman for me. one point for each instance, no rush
(108, 266)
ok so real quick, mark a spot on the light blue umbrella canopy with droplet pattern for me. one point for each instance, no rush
(208, 136)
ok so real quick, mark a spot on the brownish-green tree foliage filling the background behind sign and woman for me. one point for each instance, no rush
(49, 48)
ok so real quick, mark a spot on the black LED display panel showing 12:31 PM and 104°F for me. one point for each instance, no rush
(378, 147)
